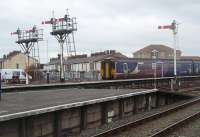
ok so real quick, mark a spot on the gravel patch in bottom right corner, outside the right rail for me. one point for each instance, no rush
(192, 129)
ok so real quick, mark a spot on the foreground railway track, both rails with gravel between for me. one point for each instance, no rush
(159, 124)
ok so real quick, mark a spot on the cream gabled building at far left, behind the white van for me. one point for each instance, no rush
(16, 60)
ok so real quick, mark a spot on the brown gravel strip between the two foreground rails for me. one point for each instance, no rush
(152, 127)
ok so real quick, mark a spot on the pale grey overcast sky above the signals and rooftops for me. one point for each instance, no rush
(123, 25)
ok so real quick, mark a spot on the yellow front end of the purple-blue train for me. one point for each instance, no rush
(107, 69)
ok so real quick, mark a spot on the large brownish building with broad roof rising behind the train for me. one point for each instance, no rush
(161, 52)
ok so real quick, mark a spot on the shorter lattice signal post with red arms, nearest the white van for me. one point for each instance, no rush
(27, 39)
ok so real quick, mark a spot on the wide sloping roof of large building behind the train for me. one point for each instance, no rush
(158, 47)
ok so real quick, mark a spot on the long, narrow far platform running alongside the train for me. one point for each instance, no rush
(161, 82)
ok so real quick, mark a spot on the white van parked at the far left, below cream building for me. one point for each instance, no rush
(13, 75)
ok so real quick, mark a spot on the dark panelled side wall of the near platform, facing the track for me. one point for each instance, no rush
(72, 121)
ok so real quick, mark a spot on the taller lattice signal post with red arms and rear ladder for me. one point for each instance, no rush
(63, 29)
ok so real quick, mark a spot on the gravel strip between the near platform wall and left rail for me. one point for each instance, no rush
(90, 132)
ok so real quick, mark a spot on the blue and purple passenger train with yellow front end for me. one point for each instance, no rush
(131, 68)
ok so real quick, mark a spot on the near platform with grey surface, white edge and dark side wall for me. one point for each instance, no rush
(67, 112)
